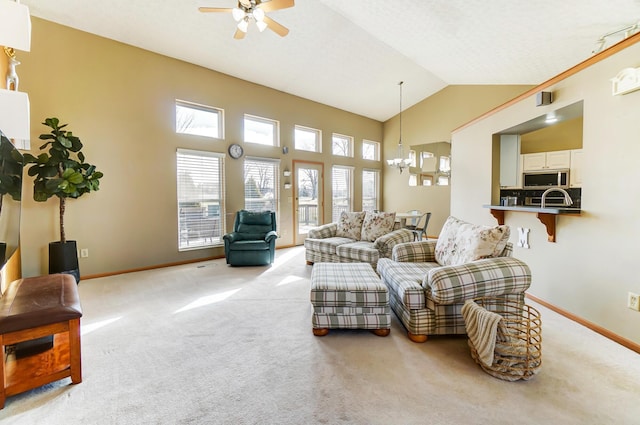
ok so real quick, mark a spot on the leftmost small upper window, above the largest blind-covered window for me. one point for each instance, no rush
(199, 120)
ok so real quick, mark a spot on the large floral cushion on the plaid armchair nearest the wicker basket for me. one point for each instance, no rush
(460, 242)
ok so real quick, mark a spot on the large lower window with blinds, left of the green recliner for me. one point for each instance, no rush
(201, 209)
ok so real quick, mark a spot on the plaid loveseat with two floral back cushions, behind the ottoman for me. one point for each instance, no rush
(323, 246)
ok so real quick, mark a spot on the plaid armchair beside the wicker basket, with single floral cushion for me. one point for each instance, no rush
(428, 297)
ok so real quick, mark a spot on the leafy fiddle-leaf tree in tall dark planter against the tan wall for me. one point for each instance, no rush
(62, 172)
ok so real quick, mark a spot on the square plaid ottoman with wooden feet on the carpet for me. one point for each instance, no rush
(349, 296)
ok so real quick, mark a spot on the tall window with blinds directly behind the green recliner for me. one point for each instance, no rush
(261, 184)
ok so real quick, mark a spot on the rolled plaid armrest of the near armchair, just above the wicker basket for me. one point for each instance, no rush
(489, 277)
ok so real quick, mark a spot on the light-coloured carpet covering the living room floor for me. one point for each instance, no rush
(210, 344)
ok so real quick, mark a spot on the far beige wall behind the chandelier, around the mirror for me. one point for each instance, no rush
(433, 120)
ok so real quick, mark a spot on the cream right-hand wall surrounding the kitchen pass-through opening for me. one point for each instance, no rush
(593, 264)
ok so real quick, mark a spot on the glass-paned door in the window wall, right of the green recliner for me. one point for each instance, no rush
(308, 203)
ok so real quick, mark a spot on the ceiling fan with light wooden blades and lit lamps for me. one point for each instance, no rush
(254, 10)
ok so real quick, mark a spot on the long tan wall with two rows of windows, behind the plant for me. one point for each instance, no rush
(120, 101)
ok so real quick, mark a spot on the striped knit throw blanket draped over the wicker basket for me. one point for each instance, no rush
(482, 326)
